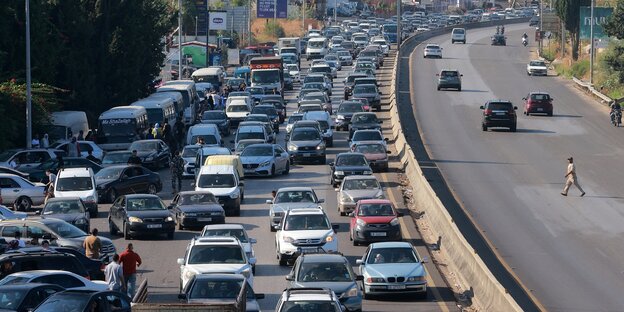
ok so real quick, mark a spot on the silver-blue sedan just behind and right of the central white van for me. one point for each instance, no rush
(265, 160)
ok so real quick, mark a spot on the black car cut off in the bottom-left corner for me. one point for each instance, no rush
(25, 297)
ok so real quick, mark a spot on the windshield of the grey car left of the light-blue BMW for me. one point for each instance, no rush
(324, 272)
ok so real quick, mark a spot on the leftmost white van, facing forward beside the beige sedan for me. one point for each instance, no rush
(78, 182)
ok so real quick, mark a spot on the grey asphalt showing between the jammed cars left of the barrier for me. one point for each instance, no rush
(159, 254)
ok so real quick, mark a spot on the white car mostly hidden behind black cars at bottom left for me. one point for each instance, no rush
(68, 280)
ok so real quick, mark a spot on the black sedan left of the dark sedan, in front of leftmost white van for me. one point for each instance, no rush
(136, 214)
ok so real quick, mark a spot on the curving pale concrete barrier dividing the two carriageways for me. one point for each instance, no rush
(471, 271)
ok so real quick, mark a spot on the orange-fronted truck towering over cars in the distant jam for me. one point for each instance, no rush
(267, 73)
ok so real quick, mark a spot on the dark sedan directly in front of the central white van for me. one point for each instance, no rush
(196, 209)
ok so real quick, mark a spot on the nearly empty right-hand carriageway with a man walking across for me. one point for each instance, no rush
(566, 250)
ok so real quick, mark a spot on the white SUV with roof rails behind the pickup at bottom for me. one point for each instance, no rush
(206, 255)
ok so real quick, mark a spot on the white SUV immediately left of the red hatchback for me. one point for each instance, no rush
(304, 228)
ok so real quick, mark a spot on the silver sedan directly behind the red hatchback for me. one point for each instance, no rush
(355, 188)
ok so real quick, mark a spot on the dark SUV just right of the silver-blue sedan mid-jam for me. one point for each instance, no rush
(306, 143)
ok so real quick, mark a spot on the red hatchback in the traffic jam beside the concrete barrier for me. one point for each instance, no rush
(374, 220)
